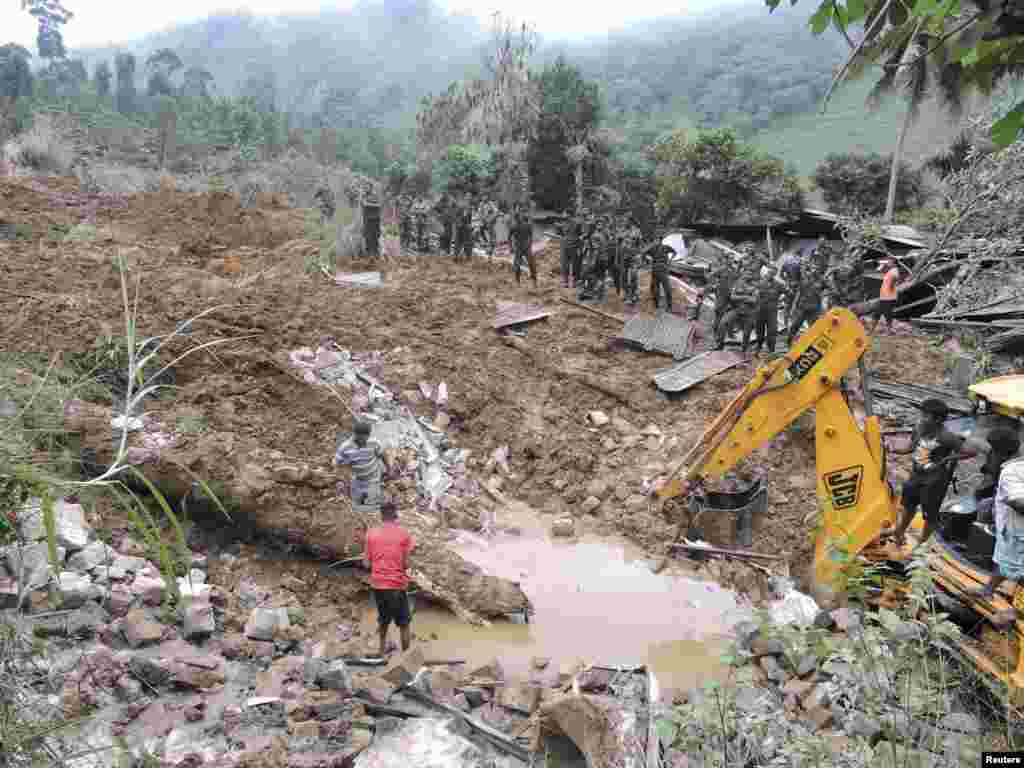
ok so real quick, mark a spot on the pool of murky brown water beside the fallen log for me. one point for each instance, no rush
(594, 601)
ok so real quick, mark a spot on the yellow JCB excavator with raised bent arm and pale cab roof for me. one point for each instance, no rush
(859, 502)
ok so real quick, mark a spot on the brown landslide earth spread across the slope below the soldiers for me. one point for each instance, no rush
(432, 321)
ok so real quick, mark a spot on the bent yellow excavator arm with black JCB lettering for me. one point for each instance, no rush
(857, 500)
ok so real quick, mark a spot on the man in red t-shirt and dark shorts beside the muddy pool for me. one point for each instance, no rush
(388, 558)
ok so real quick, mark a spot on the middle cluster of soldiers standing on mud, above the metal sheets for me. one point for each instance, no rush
(596, 247)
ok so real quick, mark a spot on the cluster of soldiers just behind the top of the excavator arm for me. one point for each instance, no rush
(747, 300)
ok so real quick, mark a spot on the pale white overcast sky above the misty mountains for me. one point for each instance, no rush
(102, 22)
